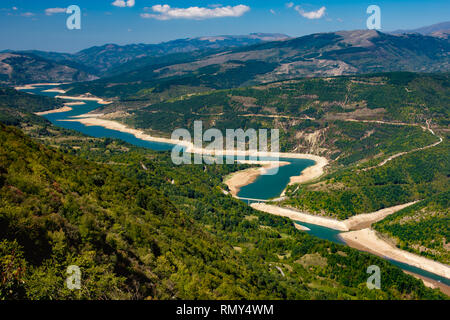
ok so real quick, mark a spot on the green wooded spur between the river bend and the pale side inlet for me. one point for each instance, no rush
(345, 193)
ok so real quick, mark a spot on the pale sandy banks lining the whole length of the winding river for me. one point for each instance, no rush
(365, 239)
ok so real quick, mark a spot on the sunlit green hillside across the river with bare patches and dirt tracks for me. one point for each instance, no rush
(350, 119)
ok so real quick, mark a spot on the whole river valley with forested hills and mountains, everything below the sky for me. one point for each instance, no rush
(360, 178)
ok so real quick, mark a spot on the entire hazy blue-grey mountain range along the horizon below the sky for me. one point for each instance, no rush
(231, 61)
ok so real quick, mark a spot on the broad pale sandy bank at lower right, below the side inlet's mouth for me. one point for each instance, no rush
(367, 240)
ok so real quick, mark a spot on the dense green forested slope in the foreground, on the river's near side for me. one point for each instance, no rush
(140, 227)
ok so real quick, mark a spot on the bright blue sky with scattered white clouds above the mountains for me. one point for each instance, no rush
(25, 24)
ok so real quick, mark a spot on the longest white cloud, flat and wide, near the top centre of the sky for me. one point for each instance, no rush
(166, 12)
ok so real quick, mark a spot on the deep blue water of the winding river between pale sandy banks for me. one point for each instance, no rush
(264, 187)
